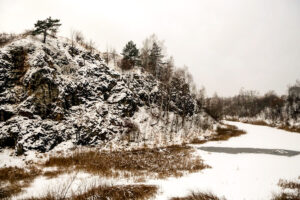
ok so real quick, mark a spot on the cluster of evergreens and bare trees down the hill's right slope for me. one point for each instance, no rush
(178, 92)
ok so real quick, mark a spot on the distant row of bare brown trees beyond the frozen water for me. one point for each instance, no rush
(249, 104)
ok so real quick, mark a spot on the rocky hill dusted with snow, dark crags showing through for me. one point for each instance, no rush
(54, 92)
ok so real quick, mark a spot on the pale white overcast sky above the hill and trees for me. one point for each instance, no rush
(226, 44)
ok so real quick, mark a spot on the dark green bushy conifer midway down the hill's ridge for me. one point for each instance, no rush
(130, 56)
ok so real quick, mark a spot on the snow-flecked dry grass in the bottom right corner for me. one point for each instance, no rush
(291, 185)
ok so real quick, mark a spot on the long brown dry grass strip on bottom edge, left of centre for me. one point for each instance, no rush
(130, 192)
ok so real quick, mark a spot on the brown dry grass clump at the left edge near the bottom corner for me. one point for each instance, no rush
(14, 179)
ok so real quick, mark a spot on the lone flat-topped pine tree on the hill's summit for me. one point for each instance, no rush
(43, 26)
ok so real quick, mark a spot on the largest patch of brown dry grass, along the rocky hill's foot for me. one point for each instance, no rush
(159, 162)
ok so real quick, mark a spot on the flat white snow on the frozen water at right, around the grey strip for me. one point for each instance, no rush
(241, 176)
